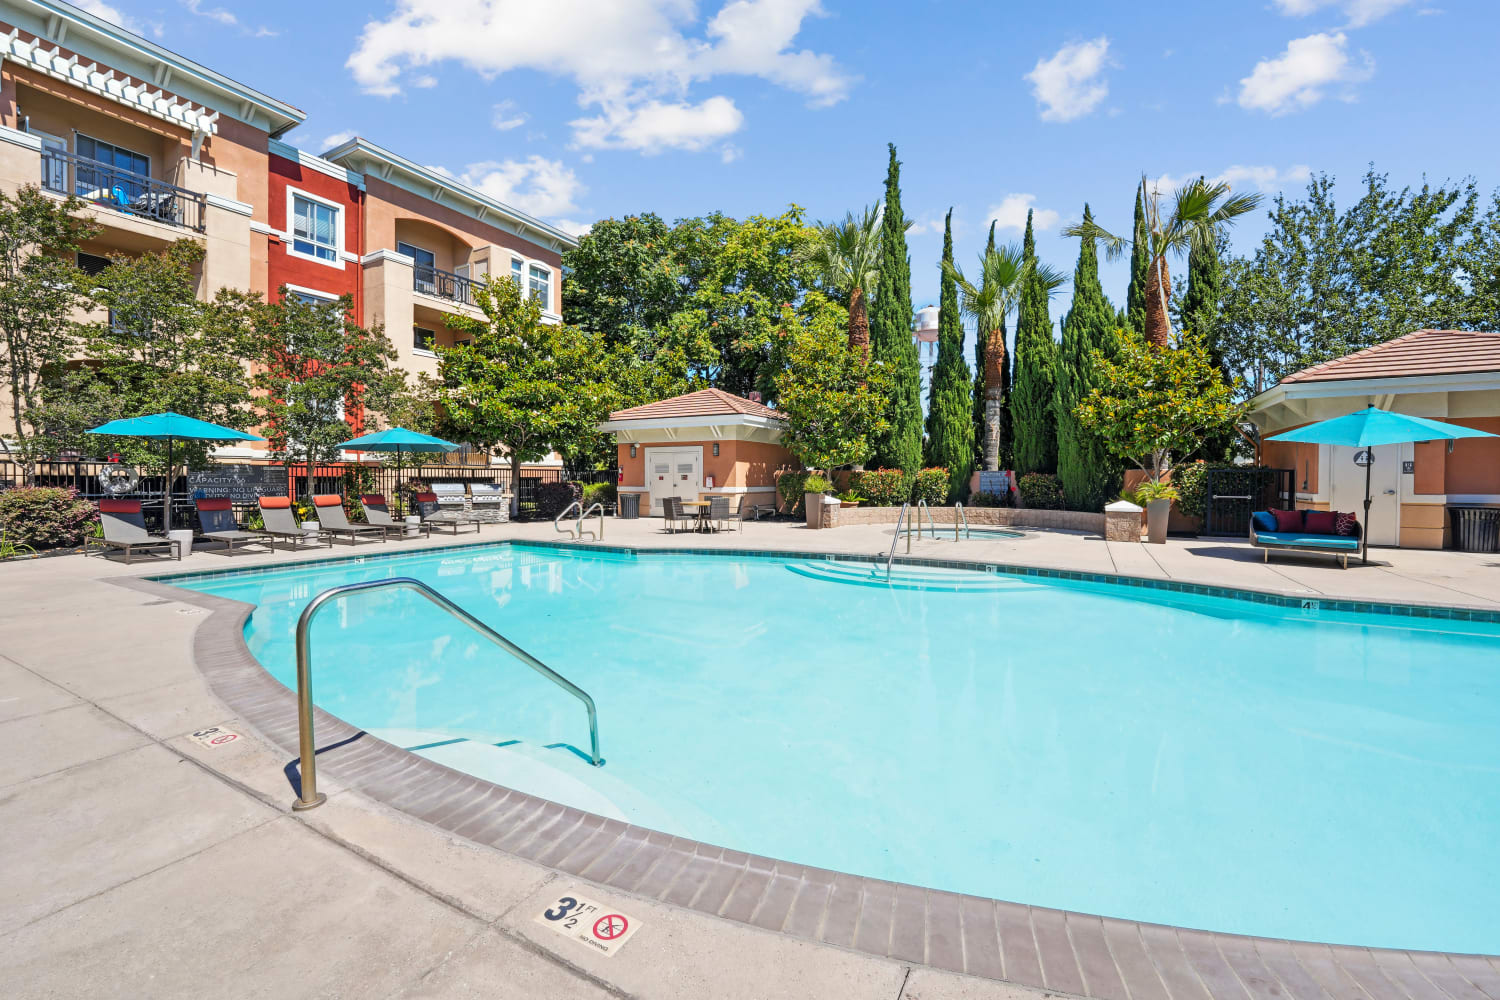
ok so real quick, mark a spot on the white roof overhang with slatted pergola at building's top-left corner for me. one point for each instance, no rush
(137, 73)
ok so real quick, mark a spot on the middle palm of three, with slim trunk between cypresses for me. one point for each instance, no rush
(1004, 274)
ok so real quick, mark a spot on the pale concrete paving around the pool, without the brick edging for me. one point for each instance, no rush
(140, 863)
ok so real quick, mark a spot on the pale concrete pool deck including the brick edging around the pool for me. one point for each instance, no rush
(140, 863)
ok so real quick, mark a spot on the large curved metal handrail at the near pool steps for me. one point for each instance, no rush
(310, 765)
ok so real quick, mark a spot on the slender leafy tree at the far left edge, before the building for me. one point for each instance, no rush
(40, 292)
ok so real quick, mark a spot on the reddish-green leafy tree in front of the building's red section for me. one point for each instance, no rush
(317, 371)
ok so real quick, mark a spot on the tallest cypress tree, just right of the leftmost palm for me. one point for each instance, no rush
(901, 448)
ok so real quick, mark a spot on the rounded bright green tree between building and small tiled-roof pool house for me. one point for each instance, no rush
(523, 385)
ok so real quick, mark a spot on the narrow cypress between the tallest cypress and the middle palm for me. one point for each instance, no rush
(950, 404)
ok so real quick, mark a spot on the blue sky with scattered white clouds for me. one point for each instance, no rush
(578, 112)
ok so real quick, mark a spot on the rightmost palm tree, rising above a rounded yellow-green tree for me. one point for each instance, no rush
(1199, 212)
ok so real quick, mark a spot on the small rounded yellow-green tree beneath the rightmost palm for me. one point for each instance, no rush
(1154, 407)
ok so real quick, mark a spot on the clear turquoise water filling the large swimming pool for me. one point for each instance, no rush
(1181, 759)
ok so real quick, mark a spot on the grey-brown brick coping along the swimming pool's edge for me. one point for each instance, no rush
(1054, 950)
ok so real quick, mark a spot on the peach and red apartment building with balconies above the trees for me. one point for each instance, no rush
(164, 149)
